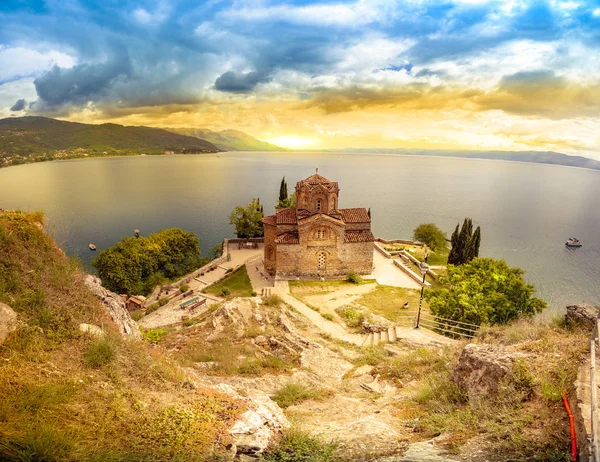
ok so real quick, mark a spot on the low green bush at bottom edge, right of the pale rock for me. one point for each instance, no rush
(298, 446)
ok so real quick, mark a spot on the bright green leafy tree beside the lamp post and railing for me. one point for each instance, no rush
(484, 291)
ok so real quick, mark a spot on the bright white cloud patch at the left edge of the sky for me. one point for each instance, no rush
(24, 62)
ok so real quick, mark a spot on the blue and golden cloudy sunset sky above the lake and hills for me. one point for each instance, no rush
(417, 74)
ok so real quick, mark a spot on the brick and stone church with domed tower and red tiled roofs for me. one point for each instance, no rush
(316, 238)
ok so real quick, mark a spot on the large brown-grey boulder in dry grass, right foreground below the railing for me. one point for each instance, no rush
(481, 367)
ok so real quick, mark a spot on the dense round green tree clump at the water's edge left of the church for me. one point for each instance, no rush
(136, 265)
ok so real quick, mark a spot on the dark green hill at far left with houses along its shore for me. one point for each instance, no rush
(40, 136)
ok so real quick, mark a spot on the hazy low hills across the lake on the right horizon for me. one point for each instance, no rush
(538, 157)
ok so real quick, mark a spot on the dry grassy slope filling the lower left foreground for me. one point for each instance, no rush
(67, 396)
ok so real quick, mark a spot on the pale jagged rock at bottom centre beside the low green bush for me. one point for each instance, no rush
(257, 427)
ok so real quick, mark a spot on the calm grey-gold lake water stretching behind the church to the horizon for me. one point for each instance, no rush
(526, 211)
